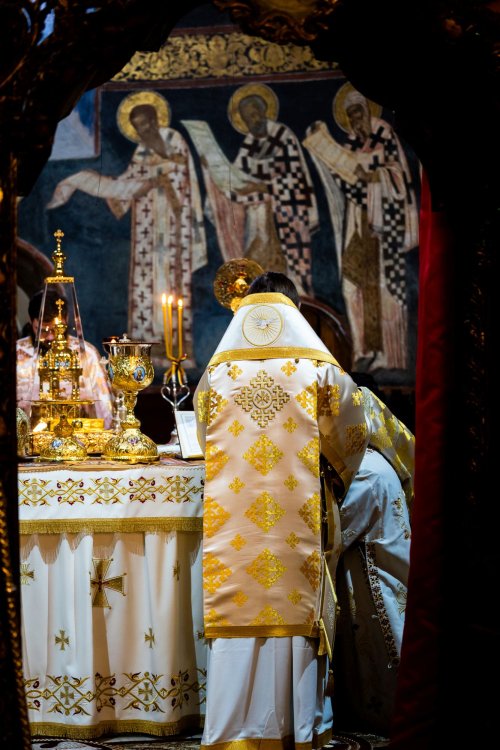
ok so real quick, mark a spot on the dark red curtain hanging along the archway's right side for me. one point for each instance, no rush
(418, 709)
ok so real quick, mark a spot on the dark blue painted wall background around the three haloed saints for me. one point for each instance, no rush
(204, 62)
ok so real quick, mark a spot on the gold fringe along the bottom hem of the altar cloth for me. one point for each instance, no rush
(43, 729)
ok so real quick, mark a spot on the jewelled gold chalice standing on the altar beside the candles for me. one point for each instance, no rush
(130, 371)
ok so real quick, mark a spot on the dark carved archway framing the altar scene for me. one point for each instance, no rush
(437, 65)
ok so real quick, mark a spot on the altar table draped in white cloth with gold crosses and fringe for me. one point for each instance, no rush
(112, 598)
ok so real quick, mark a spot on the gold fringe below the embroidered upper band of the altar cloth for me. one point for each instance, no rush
(107, 525)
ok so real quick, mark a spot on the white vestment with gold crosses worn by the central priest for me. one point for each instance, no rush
(270, 401)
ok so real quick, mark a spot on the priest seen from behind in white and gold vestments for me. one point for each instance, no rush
(272, 403)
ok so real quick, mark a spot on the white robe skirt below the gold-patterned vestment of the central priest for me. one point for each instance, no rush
(266, 689)
